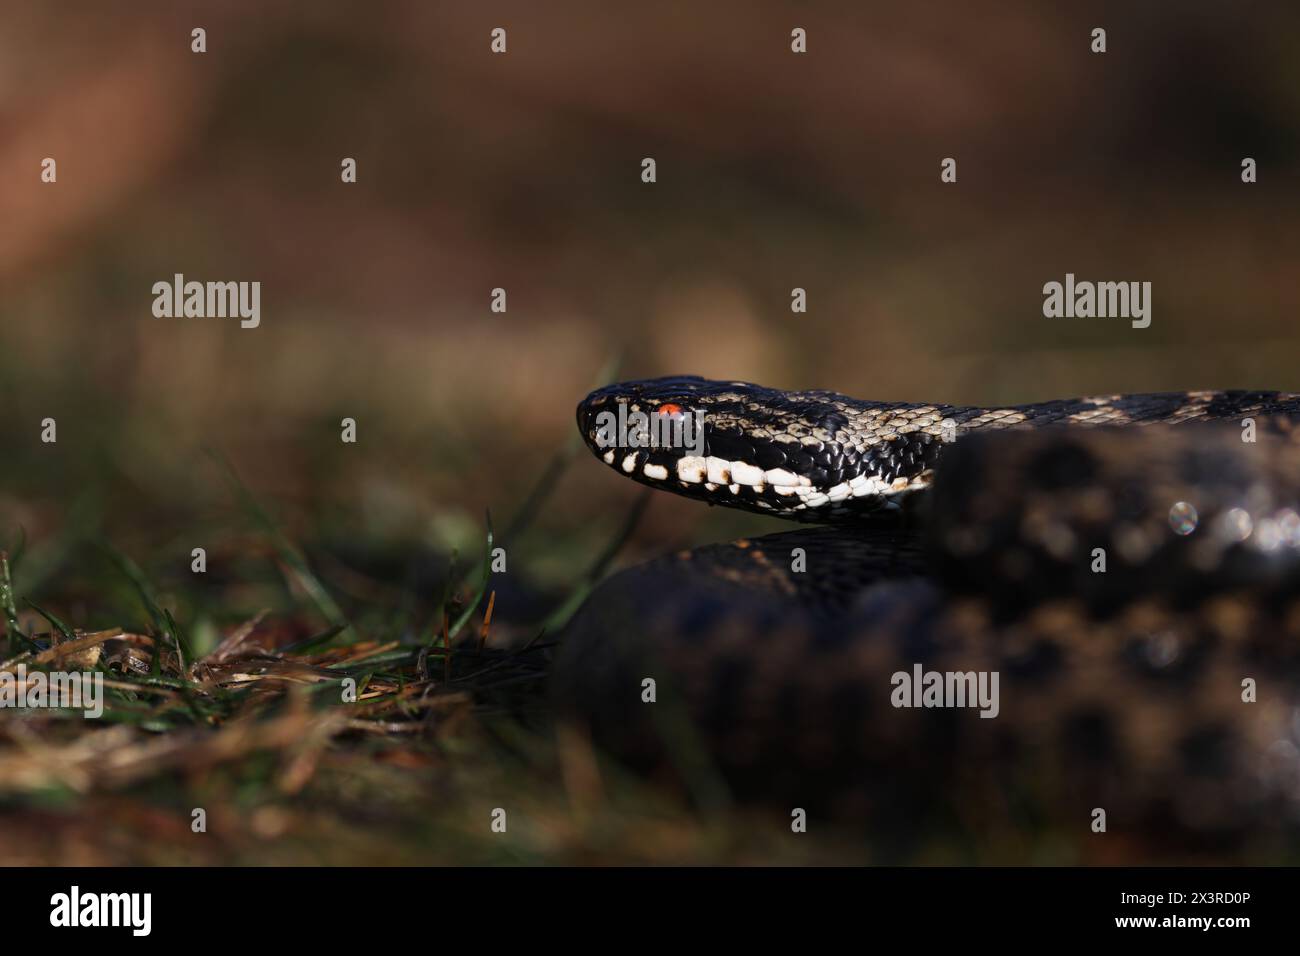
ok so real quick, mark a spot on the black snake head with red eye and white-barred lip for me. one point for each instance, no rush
(808, 456)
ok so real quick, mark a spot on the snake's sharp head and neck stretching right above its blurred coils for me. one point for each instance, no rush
(848, 457)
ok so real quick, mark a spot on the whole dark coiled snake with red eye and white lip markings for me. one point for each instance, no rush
(1064, 631)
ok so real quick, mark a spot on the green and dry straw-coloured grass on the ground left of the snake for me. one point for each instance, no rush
(330, 732)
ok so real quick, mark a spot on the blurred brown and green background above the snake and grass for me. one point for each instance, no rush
(523, 171)
